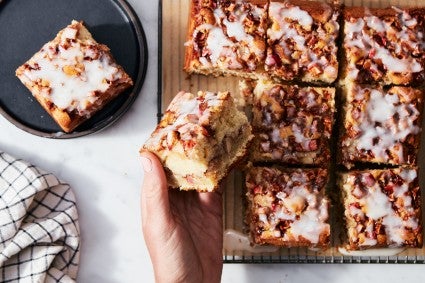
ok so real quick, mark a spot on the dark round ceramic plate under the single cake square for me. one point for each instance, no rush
(26, 25)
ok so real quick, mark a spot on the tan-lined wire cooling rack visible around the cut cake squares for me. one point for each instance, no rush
(173, 19)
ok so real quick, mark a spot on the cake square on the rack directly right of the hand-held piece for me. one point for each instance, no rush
(292, 124)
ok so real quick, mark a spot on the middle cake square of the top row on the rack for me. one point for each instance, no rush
(301, 41)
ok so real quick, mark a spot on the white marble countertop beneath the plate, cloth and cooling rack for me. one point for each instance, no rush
(106, 175)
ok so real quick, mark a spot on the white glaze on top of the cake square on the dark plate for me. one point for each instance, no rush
(72, 92)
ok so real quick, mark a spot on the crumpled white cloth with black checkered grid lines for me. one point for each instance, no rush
(39, 232)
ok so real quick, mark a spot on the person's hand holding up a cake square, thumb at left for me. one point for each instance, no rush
(183, 231)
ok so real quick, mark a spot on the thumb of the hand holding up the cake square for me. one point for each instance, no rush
(154, 200)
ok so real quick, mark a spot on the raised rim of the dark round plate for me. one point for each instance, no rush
(142, 48)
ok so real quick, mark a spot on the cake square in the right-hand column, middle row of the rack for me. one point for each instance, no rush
(380, 125)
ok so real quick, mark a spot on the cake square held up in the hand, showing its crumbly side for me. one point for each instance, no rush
(199, 139)
